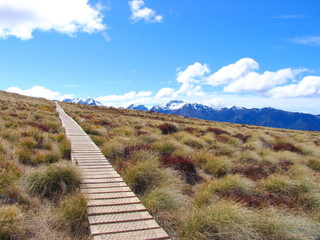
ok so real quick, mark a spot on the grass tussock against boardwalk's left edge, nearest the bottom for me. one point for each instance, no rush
(73, 214)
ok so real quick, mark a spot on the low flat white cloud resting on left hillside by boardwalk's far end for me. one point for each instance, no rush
(39, 91)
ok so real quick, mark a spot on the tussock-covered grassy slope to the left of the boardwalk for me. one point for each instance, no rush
(33, 156)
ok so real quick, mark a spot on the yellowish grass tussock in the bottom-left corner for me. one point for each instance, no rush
(11, 223)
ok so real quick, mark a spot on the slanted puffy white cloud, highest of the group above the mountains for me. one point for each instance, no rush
(233, 72)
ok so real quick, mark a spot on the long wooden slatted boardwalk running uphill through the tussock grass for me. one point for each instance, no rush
(114, 211)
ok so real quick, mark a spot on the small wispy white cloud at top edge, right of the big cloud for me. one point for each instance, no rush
(139, 12)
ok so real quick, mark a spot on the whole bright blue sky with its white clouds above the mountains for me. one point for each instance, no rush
(217, 52)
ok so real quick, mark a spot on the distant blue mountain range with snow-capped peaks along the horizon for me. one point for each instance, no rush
(267, 117)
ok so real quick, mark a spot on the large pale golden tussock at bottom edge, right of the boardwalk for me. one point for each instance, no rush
(223, 220)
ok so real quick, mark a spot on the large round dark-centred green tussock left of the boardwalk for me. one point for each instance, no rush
(54, 181)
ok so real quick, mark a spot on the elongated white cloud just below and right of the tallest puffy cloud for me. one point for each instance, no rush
(259, 83)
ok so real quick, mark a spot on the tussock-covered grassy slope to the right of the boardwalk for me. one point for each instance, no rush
(209, 180)
